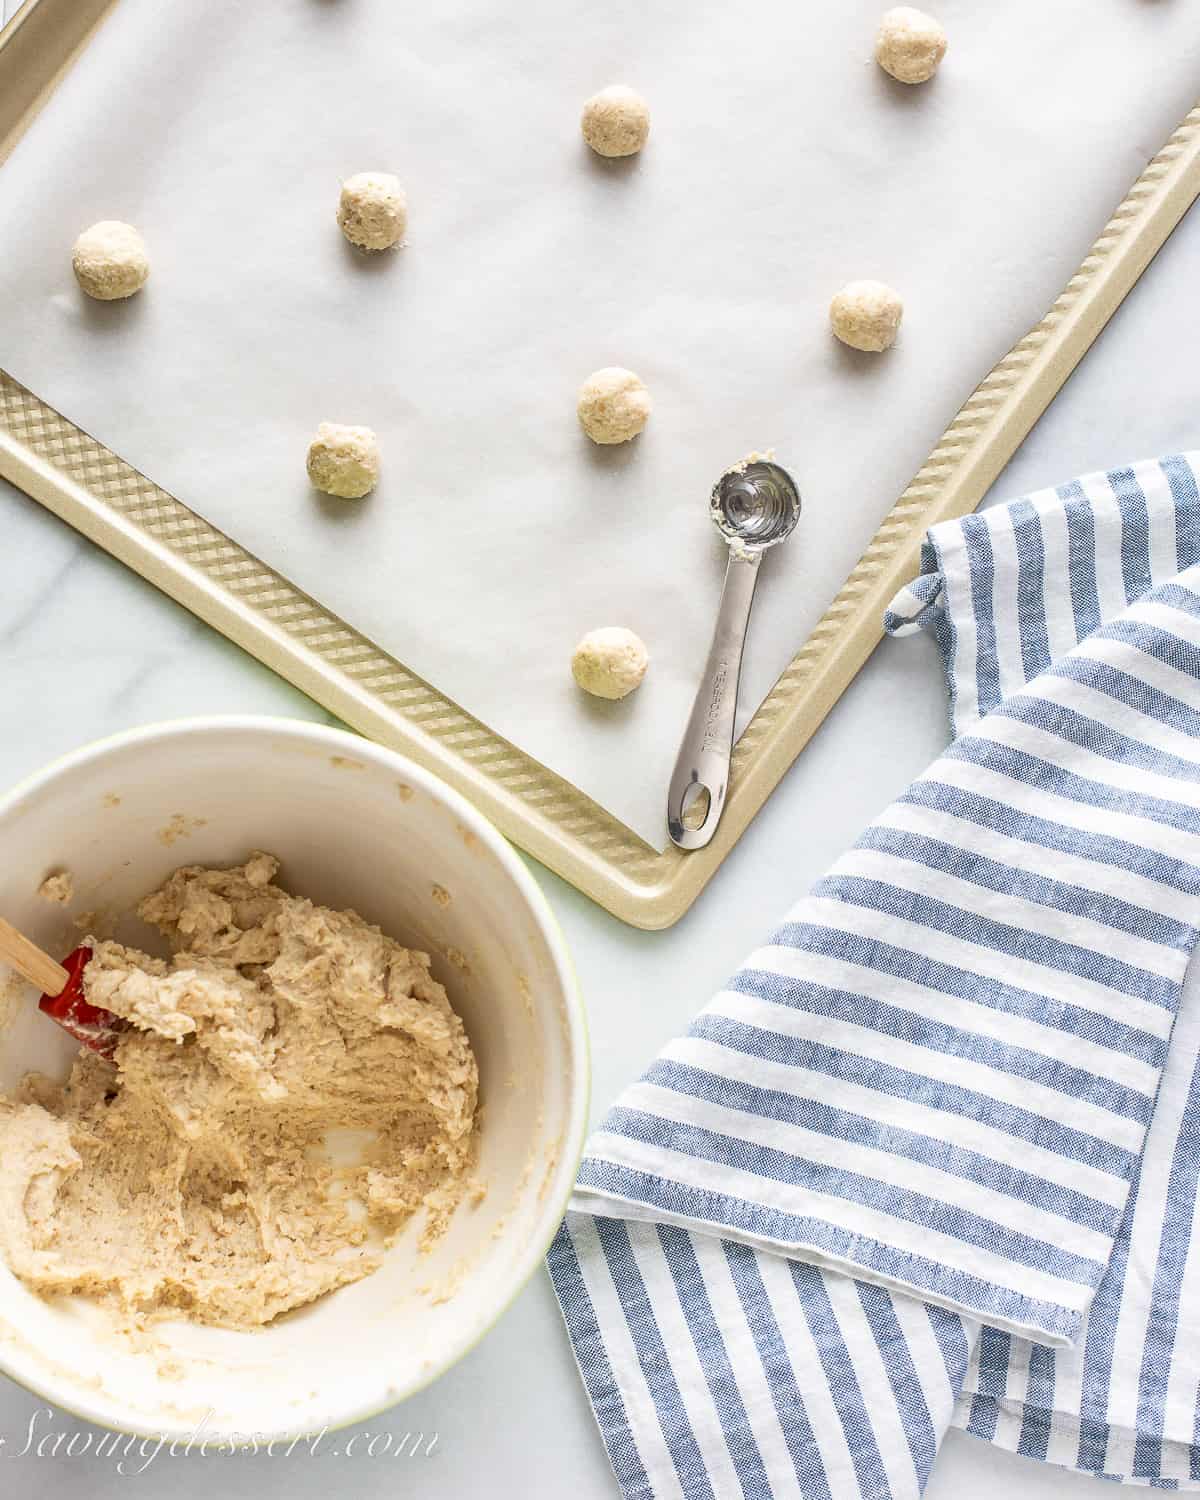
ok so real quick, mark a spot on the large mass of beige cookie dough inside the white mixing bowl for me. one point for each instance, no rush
(208, 1175)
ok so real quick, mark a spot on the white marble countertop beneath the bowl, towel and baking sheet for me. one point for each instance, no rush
(88, 649)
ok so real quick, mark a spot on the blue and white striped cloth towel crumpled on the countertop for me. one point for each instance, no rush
(932, 1157)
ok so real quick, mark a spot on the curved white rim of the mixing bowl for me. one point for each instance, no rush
(554, 1205)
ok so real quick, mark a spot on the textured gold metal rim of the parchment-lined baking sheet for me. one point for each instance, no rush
(128, 515)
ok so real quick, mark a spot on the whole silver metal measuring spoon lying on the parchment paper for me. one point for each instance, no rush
(755, 506)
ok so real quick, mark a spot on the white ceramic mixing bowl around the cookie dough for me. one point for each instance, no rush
(355, 827)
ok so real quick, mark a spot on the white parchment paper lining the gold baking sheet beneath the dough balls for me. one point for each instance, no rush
(781, 164)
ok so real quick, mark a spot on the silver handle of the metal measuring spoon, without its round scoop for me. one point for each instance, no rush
(703, 764)
